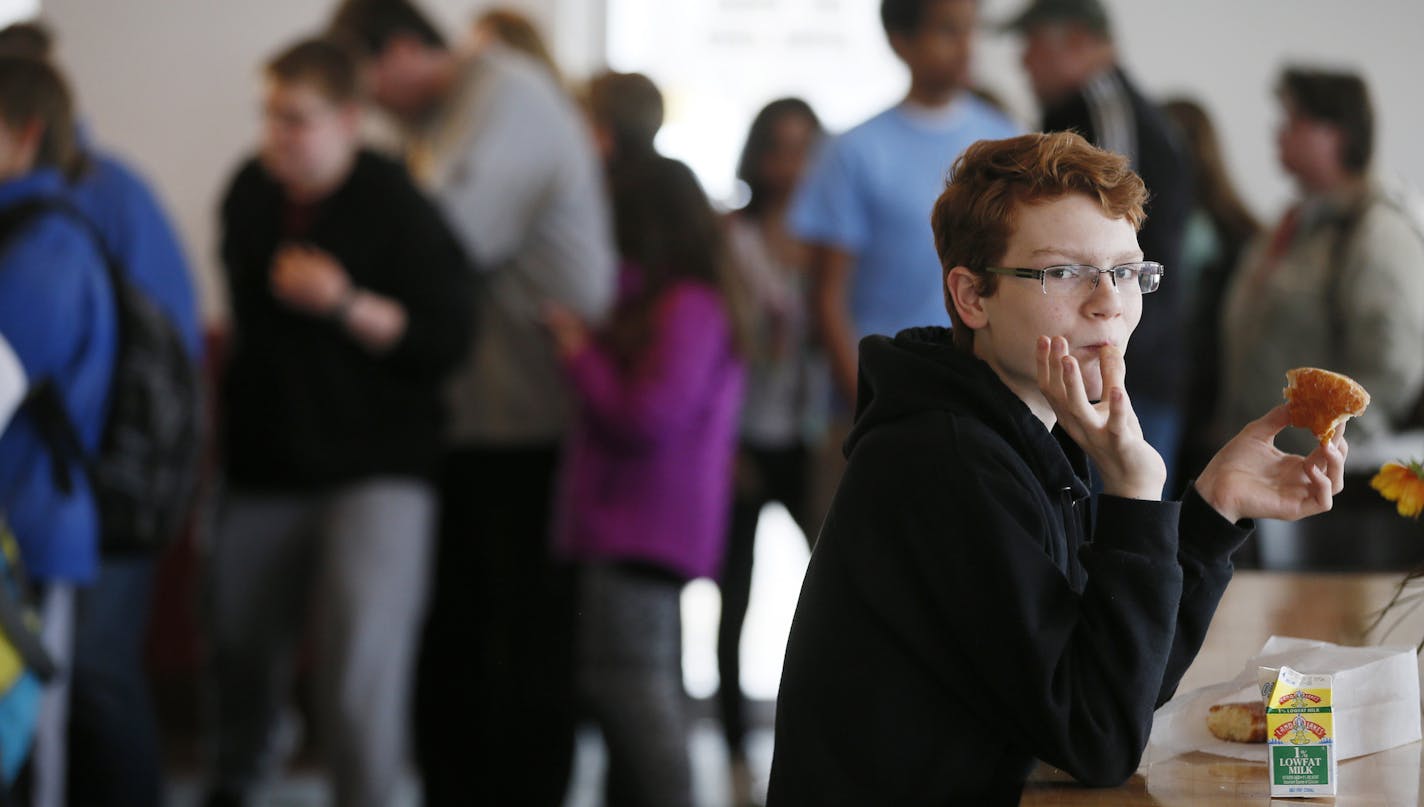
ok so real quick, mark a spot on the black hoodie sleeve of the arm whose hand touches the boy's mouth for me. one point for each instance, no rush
(1074, 677)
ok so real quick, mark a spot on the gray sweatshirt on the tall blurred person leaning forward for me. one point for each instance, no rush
(512, 167)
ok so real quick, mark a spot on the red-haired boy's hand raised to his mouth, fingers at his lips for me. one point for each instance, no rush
(1109, 431)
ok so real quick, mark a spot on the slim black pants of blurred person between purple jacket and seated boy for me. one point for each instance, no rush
(764, 476)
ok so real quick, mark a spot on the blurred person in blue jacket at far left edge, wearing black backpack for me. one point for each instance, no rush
(58, 325)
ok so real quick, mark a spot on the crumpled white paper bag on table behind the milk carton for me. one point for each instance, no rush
(1376, 701)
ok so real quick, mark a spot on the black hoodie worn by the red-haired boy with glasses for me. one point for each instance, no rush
(962, 617)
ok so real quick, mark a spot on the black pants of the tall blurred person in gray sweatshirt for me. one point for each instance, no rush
(495, 708)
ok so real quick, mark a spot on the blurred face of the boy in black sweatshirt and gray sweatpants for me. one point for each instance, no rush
(307, 137)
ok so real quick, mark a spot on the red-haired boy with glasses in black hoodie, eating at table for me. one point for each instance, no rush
(969, 607)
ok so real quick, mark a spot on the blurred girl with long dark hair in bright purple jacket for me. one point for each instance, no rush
(649, 472)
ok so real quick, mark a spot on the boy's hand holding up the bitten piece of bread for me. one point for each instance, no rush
(1252, 479)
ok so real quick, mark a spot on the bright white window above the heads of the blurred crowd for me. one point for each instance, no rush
(718, 62)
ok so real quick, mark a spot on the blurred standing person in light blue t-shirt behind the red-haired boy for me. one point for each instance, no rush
(862, 207)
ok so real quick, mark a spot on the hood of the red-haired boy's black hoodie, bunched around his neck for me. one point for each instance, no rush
(921, 371)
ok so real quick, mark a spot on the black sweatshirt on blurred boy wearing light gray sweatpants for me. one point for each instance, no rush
(307, 406)
